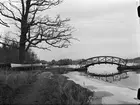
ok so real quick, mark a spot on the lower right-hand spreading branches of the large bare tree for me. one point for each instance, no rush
(55, 36)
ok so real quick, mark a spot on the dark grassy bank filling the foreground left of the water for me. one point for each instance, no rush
(18, 87)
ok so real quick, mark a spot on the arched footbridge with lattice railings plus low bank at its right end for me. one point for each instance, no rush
(122, 63)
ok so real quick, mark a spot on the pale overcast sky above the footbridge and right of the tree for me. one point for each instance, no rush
(104, 27)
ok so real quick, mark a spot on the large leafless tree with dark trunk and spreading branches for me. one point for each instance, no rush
(34, 27)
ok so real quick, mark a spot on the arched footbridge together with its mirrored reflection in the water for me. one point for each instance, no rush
(123, 67)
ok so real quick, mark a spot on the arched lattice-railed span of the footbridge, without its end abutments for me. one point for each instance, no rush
(103, 60)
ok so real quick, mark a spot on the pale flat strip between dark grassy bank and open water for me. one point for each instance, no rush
(109, 93)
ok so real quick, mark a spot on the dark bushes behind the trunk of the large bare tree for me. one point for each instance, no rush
(10, 54)
